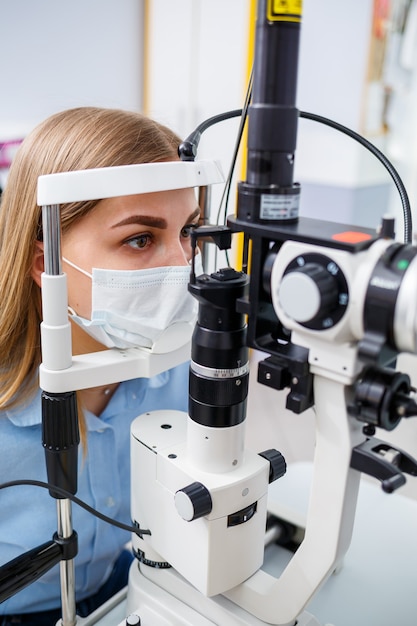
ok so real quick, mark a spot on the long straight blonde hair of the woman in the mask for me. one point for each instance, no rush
(81, 138)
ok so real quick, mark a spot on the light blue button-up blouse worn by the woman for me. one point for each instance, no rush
(28, 514)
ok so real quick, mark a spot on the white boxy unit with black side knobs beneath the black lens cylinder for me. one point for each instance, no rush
(217, 520)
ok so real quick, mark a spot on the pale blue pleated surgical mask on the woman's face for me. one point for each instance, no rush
(149, 308)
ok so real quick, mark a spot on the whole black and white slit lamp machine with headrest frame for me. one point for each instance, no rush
(330, 305)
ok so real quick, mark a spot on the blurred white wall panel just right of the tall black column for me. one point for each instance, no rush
(333, 64)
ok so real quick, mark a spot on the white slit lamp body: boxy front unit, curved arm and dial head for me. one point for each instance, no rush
(319, 293)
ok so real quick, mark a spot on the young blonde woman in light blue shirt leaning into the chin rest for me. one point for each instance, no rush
(132, 235)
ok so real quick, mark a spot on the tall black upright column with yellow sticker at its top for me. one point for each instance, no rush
(273, 120)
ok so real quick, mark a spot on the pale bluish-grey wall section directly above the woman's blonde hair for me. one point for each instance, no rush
(66, 53)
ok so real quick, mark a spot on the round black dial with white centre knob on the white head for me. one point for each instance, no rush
(313, 291)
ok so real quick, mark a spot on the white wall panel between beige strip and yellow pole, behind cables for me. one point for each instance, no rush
(197, 61)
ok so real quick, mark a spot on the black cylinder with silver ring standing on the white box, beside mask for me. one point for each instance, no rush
(219, 355)
